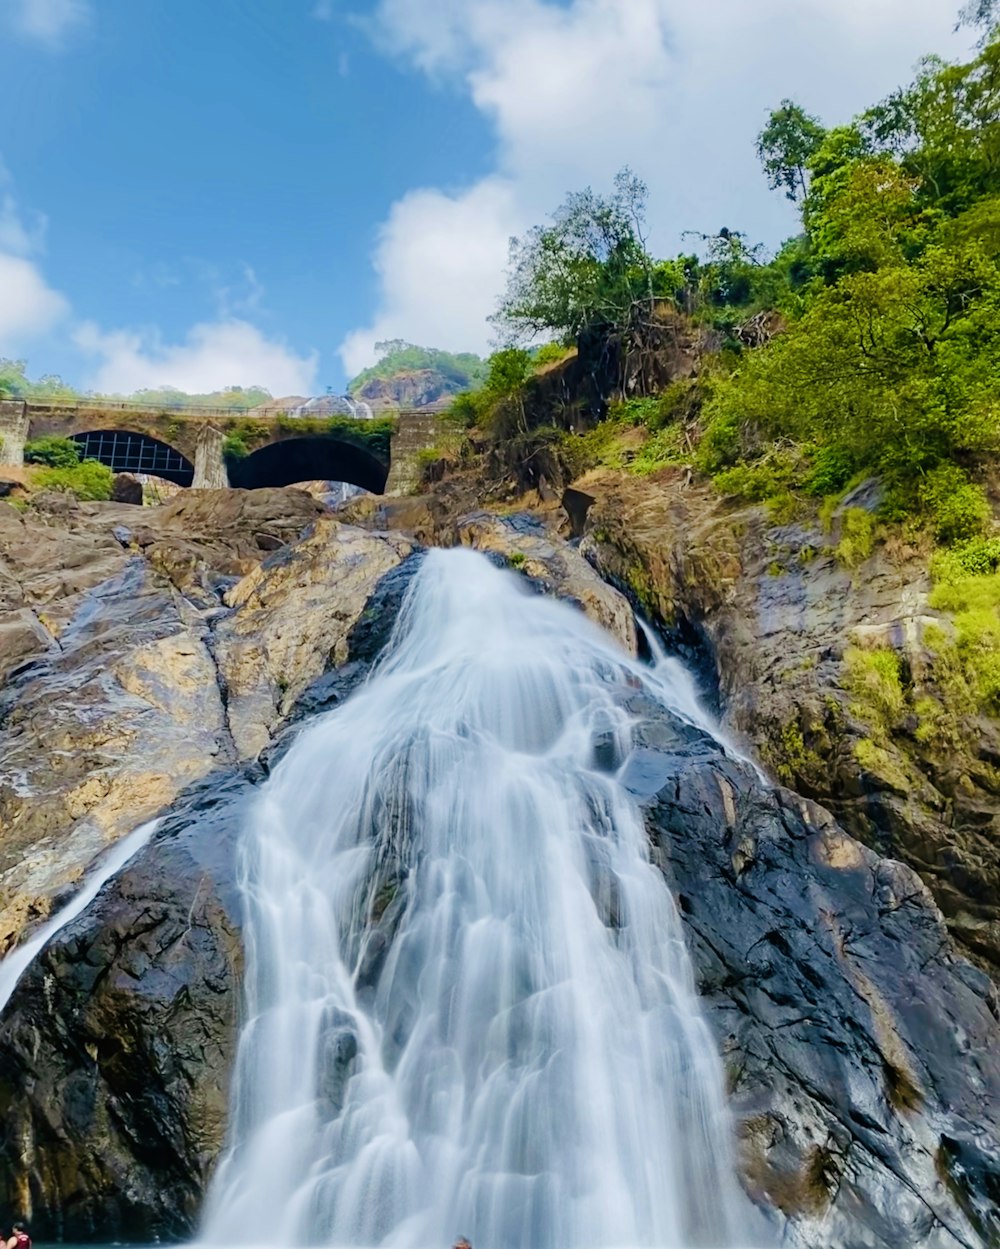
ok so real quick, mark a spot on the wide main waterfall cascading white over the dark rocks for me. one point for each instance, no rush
(470, 1009)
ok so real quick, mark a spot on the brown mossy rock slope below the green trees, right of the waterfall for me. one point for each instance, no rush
(773, 614)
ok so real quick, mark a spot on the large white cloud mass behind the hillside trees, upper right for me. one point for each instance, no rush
(575, 92)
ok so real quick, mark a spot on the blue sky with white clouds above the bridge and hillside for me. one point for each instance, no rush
(207, 193)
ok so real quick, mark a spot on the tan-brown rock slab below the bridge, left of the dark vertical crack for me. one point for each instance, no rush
(112, 704)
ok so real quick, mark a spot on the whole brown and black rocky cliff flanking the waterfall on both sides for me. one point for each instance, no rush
(159, 661)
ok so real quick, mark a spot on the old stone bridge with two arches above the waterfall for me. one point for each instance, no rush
(190, 447)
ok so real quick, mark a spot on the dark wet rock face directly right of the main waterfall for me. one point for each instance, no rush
(862, 1055)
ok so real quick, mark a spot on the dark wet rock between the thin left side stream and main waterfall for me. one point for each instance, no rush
(117, 1047)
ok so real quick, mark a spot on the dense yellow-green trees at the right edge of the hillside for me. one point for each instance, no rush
(891, 352)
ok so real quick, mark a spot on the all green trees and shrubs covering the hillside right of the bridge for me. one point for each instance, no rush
(870, 345)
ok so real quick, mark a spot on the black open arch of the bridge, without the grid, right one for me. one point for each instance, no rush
(310, 459)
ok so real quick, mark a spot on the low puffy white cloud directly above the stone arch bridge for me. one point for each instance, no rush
(214, 355)
